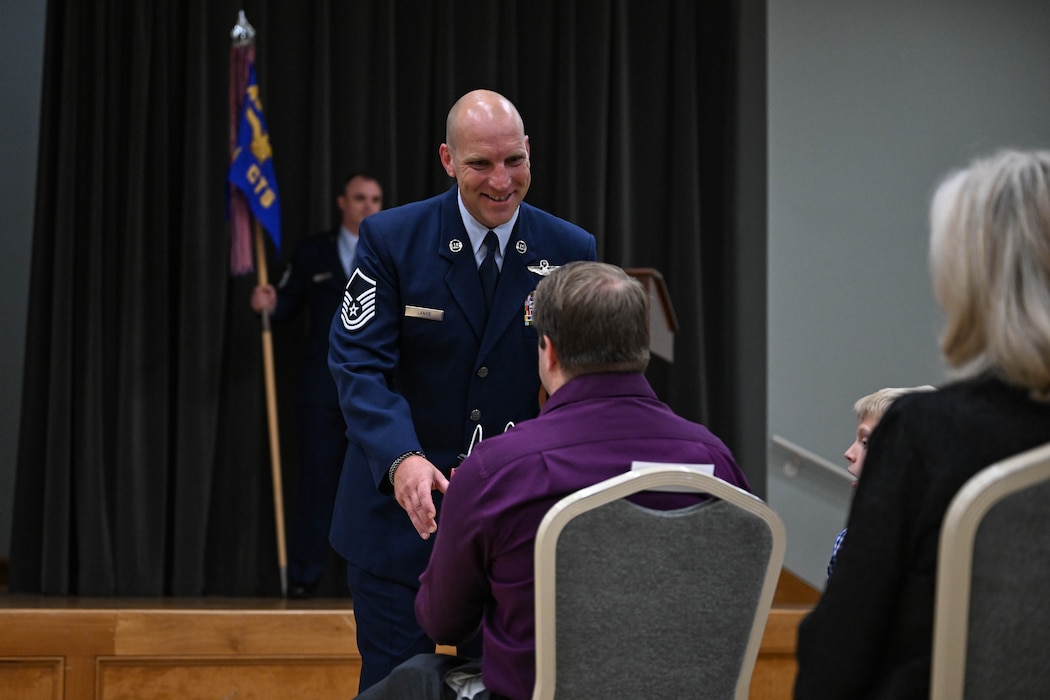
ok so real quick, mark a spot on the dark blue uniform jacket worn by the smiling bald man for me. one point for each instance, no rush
(418, 366)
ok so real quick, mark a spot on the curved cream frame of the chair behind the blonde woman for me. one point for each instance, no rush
(955, 565)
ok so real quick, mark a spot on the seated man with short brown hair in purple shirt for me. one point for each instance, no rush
(593, 321)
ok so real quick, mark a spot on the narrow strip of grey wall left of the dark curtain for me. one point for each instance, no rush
(22, 66)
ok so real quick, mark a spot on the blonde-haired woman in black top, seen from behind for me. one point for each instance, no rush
(871, 635)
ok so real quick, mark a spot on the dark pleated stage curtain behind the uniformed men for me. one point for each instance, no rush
(143, 461)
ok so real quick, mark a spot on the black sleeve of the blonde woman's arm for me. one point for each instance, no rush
(844, 644)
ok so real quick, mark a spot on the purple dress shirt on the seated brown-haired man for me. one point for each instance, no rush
(481, 572)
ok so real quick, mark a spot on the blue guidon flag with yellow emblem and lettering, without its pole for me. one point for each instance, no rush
(251, 169)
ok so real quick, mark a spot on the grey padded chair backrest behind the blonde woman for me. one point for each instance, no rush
(992, 621)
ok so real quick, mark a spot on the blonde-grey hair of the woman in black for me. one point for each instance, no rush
(991, 266)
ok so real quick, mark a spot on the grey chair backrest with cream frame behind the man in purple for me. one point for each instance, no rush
(636, 603)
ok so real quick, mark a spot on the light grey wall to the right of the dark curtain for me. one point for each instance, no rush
(870, 103)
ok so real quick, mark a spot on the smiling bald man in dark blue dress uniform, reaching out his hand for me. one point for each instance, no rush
(425, 368)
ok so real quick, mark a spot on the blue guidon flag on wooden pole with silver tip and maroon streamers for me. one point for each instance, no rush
(255, 205)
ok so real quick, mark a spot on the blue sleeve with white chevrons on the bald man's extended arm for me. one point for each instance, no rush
(364, 353)
